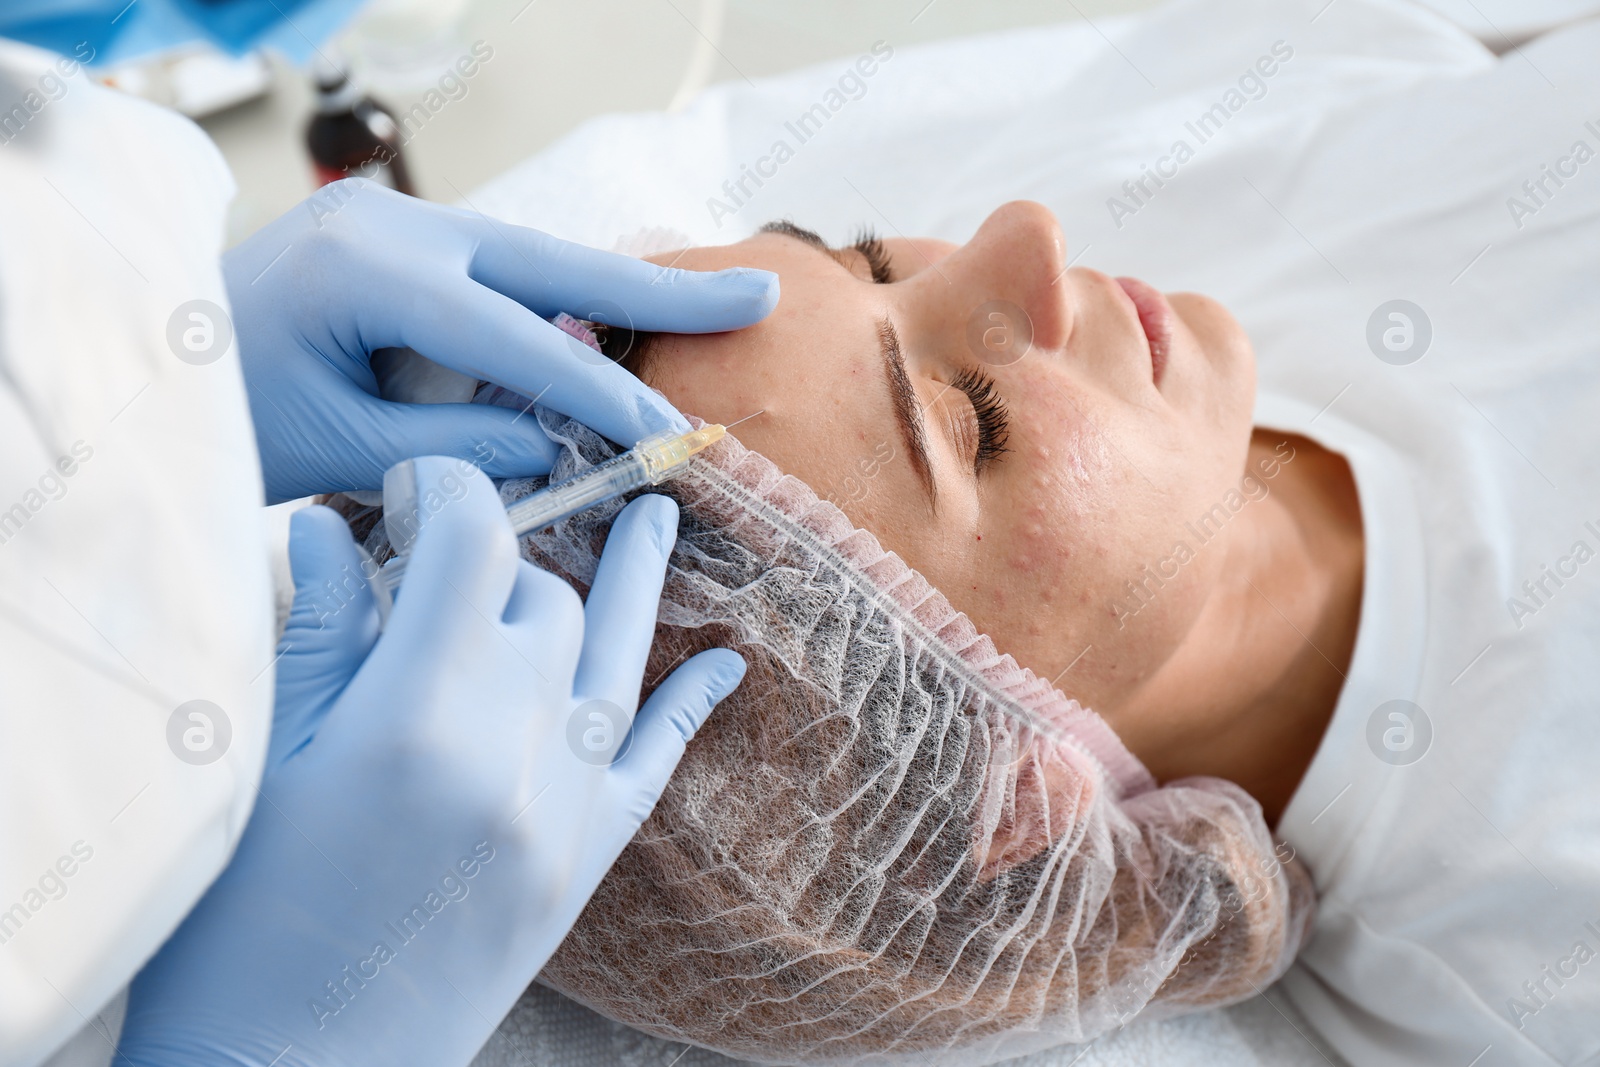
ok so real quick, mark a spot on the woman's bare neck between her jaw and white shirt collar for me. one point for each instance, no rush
(1250, 693)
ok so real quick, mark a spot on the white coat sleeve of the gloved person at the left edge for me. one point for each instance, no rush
(134, 575)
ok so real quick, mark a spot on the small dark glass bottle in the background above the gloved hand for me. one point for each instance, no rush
(353, 135)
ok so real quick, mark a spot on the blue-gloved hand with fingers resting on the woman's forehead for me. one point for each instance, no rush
(362, 268)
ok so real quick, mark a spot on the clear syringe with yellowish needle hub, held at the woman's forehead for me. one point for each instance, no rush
(650, 463)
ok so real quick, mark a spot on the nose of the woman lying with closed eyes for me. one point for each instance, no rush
(1017, 258)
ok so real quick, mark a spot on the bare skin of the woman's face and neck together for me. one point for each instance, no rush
(1231, 661)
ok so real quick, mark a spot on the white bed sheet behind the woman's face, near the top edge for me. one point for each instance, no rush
(946, 130)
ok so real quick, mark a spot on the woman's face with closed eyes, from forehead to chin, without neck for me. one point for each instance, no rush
(1028, 479)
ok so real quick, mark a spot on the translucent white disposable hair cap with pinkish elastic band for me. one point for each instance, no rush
(894, 845)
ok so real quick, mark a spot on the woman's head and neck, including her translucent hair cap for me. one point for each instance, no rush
(895, 842)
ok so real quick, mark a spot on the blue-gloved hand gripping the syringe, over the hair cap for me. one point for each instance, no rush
(439, 801)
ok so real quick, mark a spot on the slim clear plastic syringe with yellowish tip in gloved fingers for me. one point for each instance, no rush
(650, 463)
